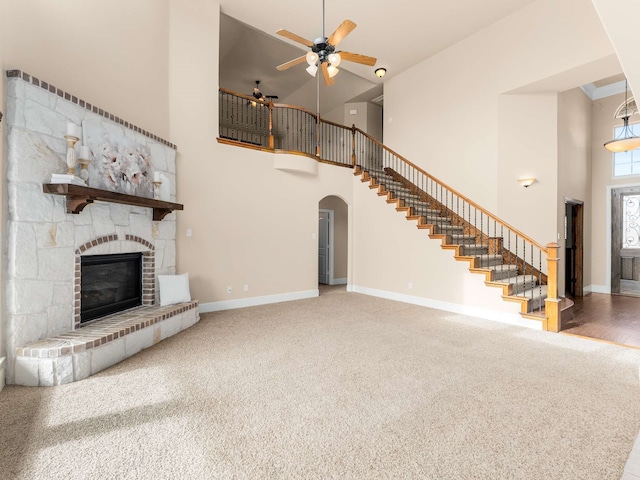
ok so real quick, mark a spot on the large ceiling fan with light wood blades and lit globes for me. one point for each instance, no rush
(324, 51)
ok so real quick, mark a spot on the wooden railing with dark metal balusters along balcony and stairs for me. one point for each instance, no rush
(503, 253)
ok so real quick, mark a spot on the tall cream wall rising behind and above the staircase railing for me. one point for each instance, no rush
(454, 127)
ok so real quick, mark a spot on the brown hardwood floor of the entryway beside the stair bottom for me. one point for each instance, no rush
(613, 318)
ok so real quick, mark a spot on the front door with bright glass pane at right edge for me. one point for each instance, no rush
(625, 240)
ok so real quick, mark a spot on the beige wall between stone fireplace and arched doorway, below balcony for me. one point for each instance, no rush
(252, 224)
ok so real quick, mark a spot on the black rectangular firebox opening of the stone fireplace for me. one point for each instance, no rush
(109, 284)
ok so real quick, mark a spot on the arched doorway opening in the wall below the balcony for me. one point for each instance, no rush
(332, 241)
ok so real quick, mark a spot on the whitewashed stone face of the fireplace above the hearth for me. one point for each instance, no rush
(43, 241)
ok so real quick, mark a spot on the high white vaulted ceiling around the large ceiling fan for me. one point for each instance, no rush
(398, 33)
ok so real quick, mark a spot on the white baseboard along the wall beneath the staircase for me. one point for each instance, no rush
(502, 317)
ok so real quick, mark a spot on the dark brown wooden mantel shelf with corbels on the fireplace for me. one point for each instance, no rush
(79, 197)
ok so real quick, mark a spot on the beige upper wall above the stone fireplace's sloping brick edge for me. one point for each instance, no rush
(111, 53)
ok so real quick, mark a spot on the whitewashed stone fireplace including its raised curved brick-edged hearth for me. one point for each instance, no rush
(46, 245)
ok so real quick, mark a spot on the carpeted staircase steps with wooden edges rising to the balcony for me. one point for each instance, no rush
(486, 255)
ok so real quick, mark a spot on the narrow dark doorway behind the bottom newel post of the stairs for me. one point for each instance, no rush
(574, 248)
